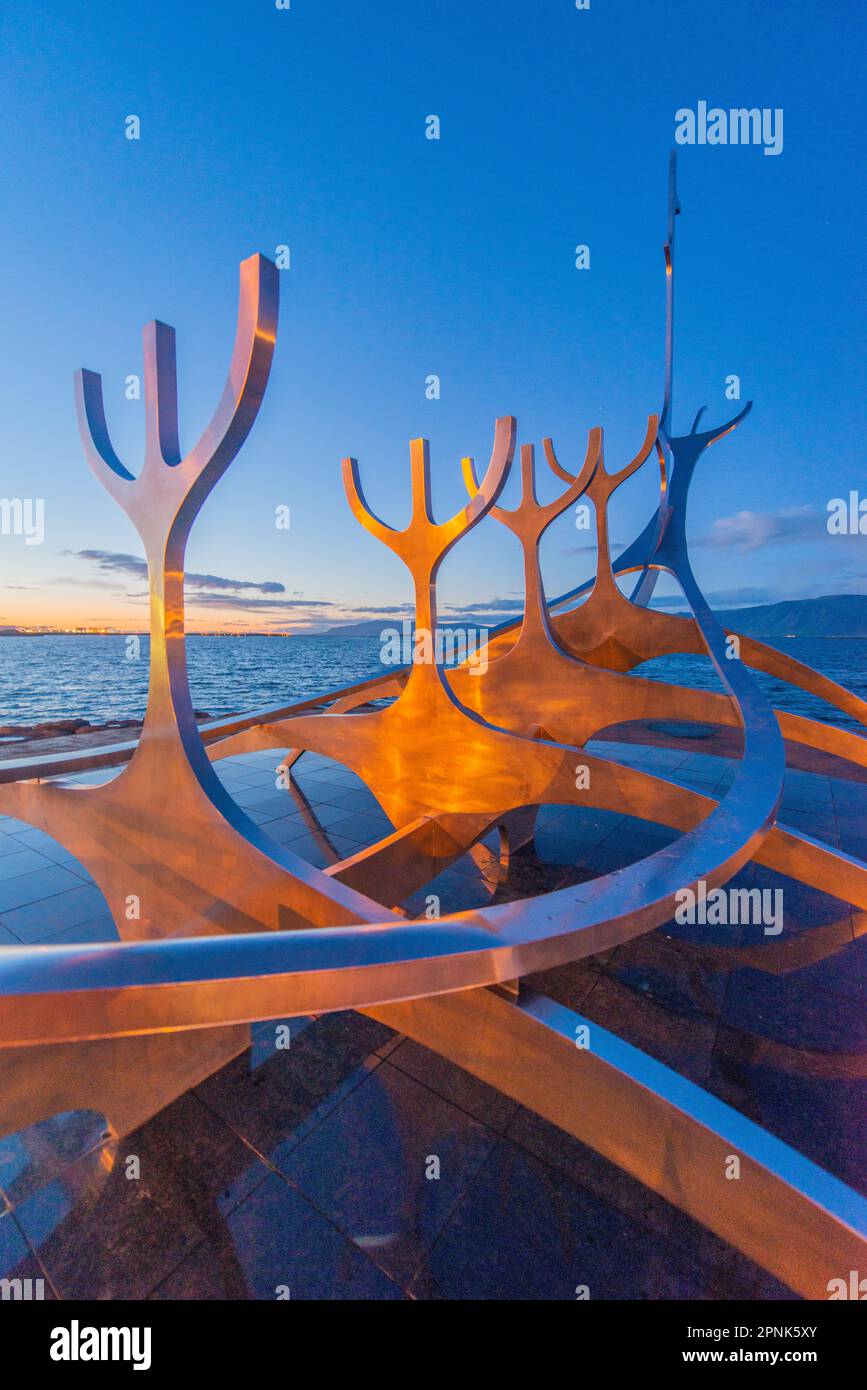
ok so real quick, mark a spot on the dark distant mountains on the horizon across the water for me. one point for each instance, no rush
(834, 615)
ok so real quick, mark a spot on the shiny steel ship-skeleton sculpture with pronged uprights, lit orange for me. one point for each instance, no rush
(236, 929)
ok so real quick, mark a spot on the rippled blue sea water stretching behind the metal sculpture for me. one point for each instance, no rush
(92, 678)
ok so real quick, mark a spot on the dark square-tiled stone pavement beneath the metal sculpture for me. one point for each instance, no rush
(304, 1170)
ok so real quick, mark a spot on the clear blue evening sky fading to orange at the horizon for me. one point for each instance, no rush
(415, 258)
